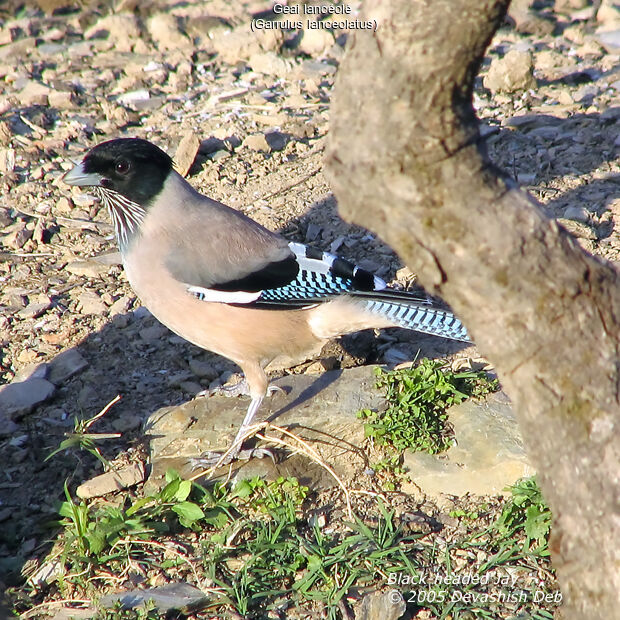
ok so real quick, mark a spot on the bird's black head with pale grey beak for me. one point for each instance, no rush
(132, 167)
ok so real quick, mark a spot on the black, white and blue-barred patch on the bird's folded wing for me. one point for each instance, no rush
(318, 277)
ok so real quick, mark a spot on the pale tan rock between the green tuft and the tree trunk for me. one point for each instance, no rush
(488, 455)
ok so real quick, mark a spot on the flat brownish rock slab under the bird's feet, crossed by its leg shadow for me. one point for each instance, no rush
(321, 409)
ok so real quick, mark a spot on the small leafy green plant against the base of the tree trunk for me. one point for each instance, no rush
(527, 513)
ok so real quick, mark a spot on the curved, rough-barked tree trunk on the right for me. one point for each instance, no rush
(405, 160)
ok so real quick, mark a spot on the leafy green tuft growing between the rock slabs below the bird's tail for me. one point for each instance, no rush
(418, 397)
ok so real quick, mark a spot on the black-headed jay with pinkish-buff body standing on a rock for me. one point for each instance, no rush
(222, 281)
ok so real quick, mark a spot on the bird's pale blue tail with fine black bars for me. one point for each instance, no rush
(411, 311)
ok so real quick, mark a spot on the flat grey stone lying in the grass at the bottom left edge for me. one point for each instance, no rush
(172, 596)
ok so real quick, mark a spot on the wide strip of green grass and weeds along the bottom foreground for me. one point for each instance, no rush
(254, 546)
